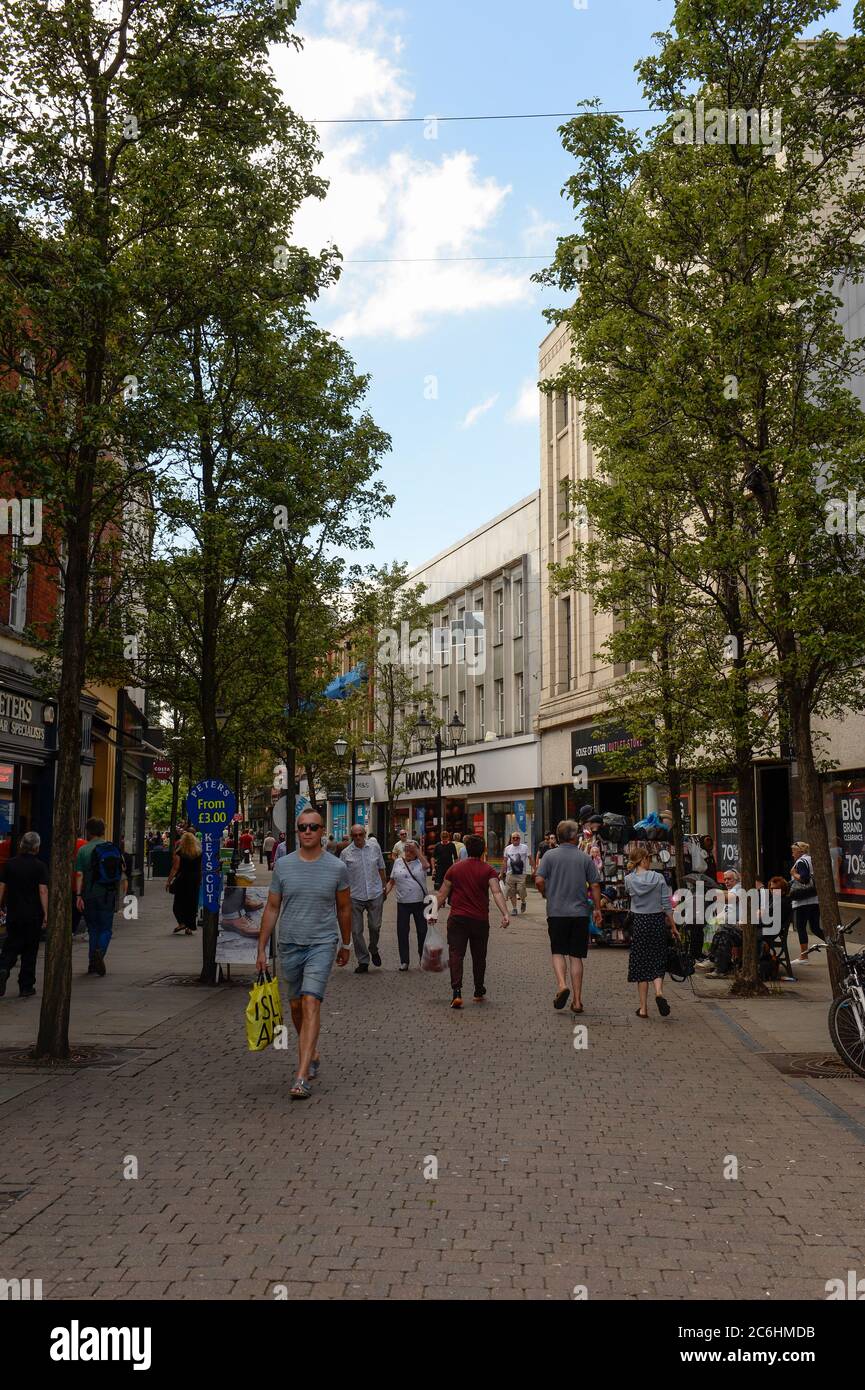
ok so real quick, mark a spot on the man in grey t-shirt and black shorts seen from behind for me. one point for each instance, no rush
(565, 879)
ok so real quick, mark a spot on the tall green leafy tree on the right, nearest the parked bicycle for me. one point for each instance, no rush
(707, 315)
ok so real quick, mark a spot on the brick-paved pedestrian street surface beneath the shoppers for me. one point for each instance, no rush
(475, 1156)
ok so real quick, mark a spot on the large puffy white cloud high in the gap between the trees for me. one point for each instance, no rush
(411, 208)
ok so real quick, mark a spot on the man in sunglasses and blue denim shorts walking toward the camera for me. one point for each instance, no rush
(311, 889)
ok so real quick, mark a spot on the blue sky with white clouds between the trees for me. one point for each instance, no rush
(453, 347)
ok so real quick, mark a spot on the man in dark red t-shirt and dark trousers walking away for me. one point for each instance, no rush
(468, 885)
